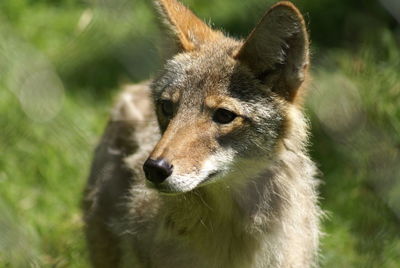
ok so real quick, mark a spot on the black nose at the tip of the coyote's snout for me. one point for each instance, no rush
(158, 170)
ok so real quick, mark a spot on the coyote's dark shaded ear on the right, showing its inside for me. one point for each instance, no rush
(277, 49)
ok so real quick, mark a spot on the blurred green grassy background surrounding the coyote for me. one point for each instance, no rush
(62, 61)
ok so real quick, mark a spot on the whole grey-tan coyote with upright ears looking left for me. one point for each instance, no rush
(207, 165)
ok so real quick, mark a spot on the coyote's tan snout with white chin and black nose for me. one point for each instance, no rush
(188, 154)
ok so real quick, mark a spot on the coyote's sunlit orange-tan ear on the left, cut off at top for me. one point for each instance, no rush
(189, 31)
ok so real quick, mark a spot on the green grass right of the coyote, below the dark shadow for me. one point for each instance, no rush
(356, 119)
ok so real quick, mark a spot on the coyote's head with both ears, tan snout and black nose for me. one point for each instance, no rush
(222, 104)
